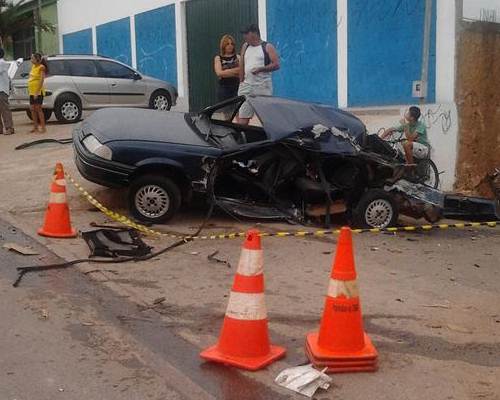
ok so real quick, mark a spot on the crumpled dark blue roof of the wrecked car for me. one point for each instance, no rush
(283, 117)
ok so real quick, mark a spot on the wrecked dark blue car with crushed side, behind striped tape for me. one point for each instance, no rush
(305, 162)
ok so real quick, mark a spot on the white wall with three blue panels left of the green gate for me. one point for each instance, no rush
(149, 44)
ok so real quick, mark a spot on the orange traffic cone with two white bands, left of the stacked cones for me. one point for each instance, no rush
(244, 338)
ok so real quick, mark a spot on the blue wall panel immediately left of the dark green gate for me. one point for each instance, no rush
(155, 43)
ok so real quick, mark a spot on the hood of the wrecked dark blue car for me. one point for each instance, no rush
(114, 124)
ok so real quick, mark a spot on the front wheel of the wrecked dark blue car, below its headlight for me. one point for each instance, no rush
(154, 198)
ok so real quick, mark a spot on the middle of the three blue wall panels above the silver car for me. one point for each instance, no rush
(113, 40)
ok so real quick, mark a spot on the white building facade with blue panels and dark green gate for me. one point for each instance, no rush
(350, 53)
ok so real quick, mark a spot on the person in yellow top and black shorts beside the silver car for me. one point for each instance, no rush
(36, 90)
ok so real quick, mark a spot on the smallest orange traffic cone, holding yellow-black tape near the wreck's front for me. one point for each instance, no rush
(57, 222)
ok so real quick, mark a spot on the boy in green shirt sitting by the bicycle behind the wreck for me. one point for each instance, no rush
(416, 143)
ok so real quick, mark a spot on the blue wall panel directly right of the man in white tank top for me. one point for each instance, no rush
(305, 34)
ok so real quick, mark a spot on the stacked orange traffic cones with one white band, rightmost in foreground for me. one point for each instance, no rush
(341, 344)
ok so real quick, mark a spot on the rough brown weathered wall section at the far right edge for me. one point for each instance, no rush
(478, 100)
